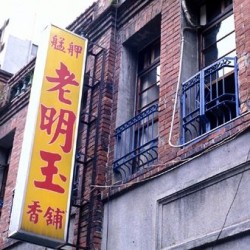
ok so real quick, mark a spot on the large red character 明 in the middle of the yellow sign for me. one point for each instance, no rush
(65, 124)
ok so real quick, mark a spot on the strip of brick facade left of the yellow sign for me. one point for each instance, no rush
(13, 120)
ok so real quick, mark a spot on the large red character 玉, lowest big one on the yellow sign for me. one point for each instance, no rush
(49, 171)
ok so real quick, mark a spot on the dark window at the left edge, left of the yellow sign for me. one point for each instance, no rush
(5, 152)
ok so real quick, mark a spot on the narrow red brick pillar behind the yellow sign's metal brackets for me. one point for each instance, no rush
(93, 141)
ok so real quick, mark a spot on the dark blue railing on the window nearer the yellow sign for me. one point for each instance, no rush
(137, 142)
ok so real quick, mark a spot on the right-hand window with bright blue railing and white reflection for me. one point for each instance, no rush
(210, 97)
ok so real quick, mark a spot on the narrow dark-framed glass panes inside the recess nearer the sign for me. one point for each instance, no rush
(146, 130)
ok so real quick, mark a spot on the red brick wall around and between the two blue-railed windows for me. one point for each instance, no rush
(170, 55)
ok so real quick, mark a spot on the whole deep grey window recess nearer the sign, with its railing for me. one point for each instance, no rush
(137, 136)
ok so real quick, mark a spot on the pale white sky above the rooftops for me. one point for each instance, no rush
(32, 16)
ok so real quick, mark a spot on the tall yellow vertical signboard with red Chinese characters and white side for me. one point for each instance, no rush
(48, 154)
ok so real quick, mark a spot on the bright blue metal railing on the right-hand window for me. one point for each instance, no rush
(210, 98)
